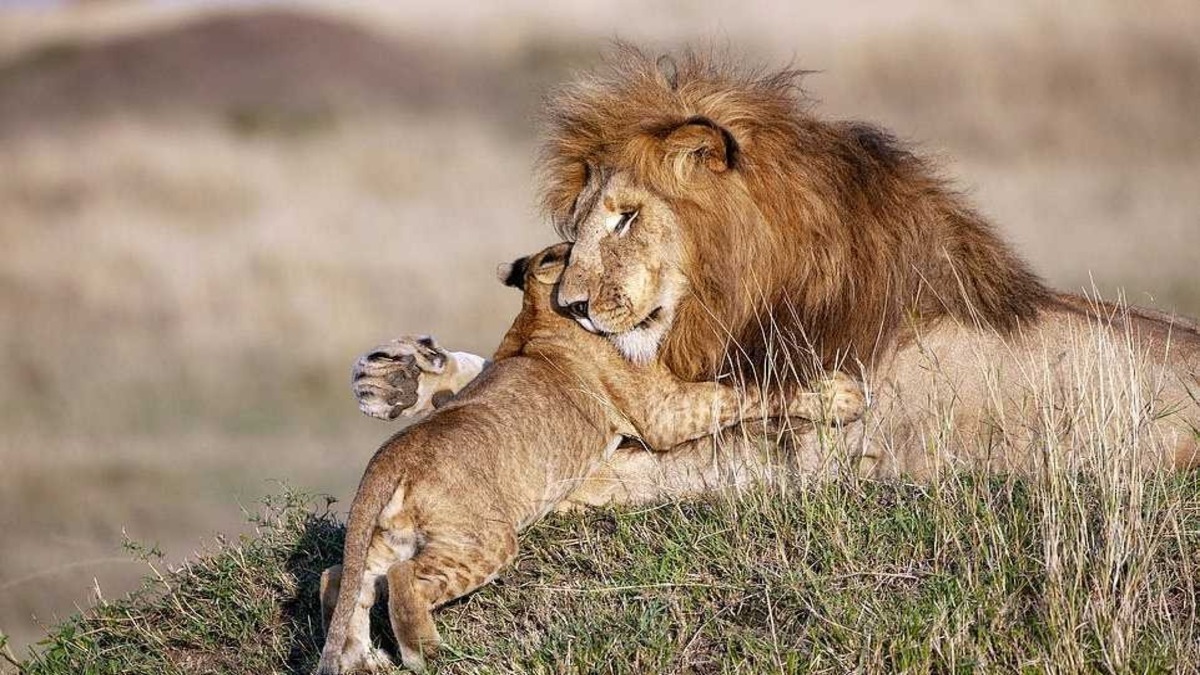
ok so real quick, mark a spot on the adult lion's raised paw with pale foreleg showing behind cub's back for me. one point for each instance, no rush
(411, 377)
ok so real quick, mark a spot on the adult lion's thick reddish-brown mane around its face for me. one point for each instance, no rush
(823, 240)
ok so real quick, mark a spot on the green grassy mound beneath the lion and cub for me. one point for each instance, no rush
(963, 576)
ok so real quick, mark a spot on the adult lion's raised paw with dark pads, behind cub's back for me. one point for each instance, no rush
(391, 380)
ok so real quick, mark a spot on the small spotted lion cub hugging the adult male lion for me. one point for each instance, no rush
(439, 510)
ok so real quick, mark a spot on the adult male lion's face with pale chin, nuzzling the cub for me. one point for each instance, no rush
(625, 278)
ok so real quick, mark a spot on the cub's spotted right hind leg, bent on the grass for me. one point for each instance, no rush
(441, 572)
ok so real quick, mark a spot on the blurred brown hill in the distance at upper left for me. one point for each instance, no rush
(275, 64)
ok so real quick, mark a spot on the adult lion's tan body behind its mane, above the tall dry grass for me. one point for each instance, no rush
(1079, 379)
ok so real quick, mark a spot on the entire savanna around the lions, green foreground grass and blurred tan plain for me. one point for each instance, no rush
(207, 213)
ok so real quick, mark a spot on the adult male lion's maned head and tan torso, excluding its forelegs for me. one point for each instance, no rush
(794, 244)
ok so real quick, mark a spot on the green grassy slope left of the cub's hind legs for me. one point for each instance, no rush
(245, 607)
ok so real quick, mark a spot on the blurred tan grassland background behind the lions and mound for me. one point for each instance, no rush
(208, 211)
